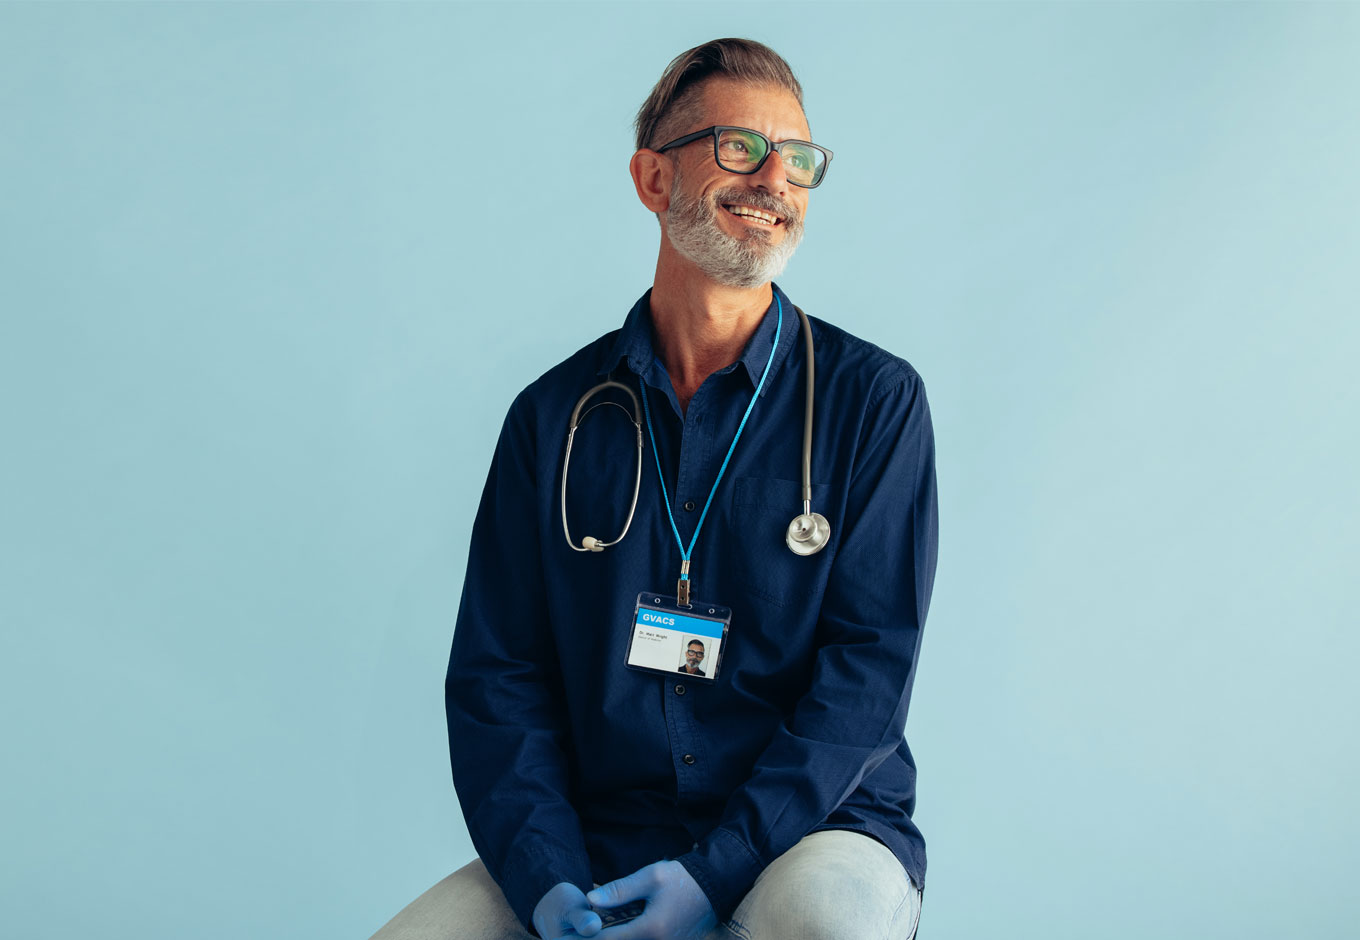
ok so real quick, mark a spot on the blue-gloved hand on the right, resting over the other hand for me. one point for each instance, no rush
(678, 908)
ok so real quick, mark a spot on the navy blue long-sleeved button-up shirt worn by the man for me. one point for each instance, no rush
(572, 767)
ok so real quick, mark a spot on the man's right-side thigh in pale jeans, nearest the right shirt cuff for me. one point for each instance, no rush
(832, 885)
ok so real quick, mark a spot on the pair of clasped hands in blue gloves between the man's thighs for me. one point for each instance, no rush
(677, 908)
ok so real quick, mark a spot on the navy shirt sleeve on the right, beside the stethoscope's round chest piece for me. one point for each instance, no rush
(870, 636)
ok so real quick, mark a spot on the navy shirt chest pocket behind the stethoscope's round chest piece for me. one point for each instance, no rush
(764, 509)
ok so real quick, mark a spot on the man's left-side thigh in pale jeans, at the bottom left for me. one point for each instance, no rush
(464, 907)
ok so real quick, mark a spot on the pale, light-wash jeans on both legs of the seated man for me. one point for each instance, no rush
(830, 886)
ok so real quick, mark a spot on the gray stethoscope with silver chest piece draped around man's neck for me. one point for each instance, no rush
(809, 533)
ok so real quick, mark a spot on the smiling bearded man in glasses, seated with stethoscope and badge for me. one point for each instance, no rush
(770, 801)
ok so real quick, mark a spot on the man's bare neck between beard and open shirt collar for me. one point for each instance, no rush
(701, 327)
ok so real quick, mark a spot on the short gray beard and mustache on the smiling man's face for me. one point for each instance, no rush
(693, 229)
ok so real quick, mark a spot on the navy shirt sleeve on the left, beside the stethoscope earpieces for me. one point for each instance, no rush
(504, 697)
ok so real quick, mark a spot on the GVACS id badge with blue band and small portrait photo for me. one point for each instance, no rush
(671, 640)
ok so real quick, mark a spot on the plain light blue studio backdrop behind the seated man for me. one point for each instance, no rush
(270, 277)
